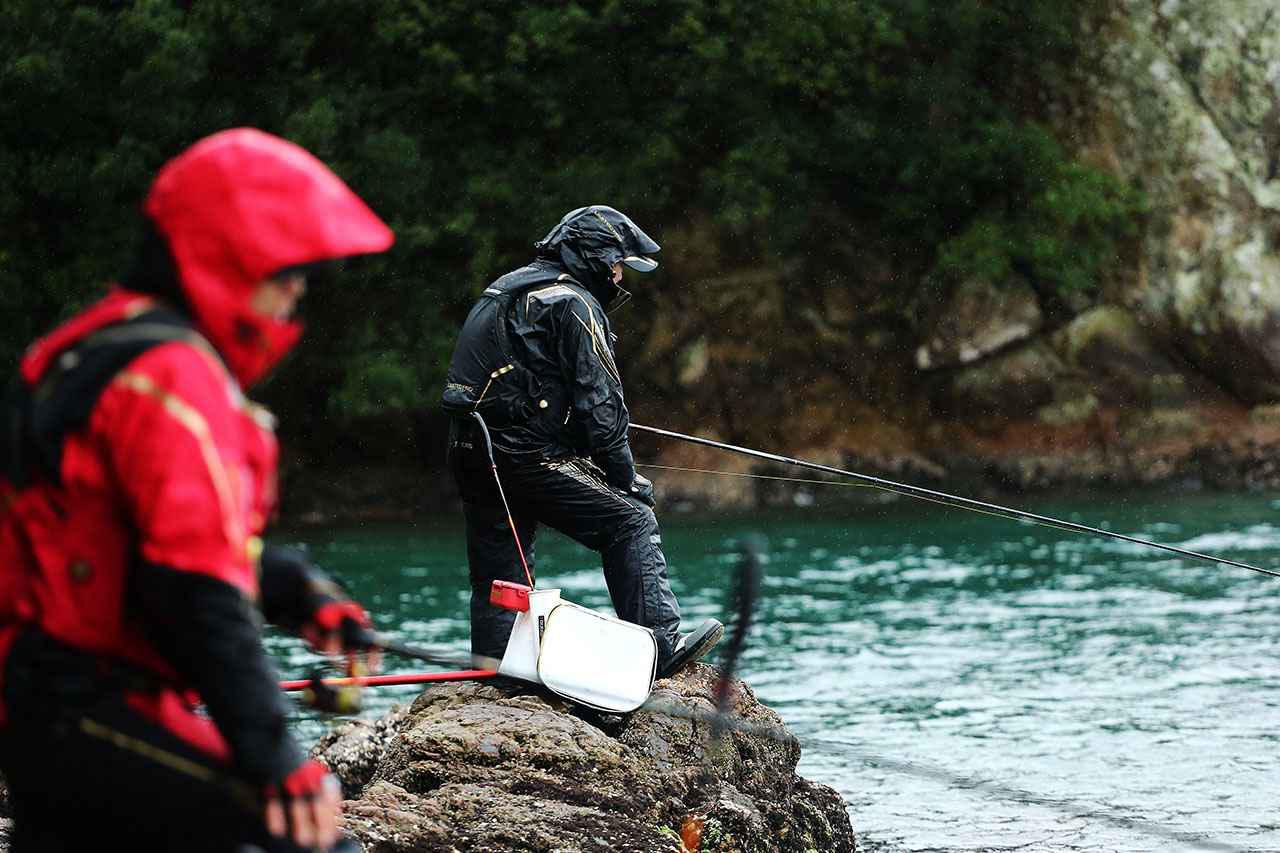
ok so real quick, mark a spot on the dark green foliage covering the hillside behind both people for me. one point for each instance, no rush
(472, 127)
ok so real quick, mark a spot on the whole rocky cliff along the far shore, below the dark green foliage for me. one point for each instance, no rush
(1167, 373)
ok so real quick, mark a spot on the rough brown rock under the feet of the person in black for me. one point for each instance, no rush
(505, 768)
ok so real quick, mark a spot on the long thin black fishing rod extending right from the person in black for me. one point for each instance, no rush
(922, 494)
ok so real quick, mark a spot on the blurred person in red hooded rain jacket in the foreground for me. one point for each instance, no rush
(136, 480)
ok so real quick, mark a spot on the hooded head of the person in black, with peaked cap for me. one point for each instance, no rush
(589, 241)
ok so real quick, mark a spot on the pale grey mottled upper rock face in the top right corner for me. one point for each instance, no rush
(1188, 107)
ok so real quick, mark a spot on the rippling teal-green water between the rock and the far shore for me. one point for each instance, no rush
(966, 683)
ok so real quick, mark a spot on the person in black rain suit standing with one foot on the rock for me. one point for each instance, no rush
(536, 359)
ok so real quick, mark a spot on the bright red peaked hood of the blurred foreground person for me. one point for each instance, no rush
(240, 207)
